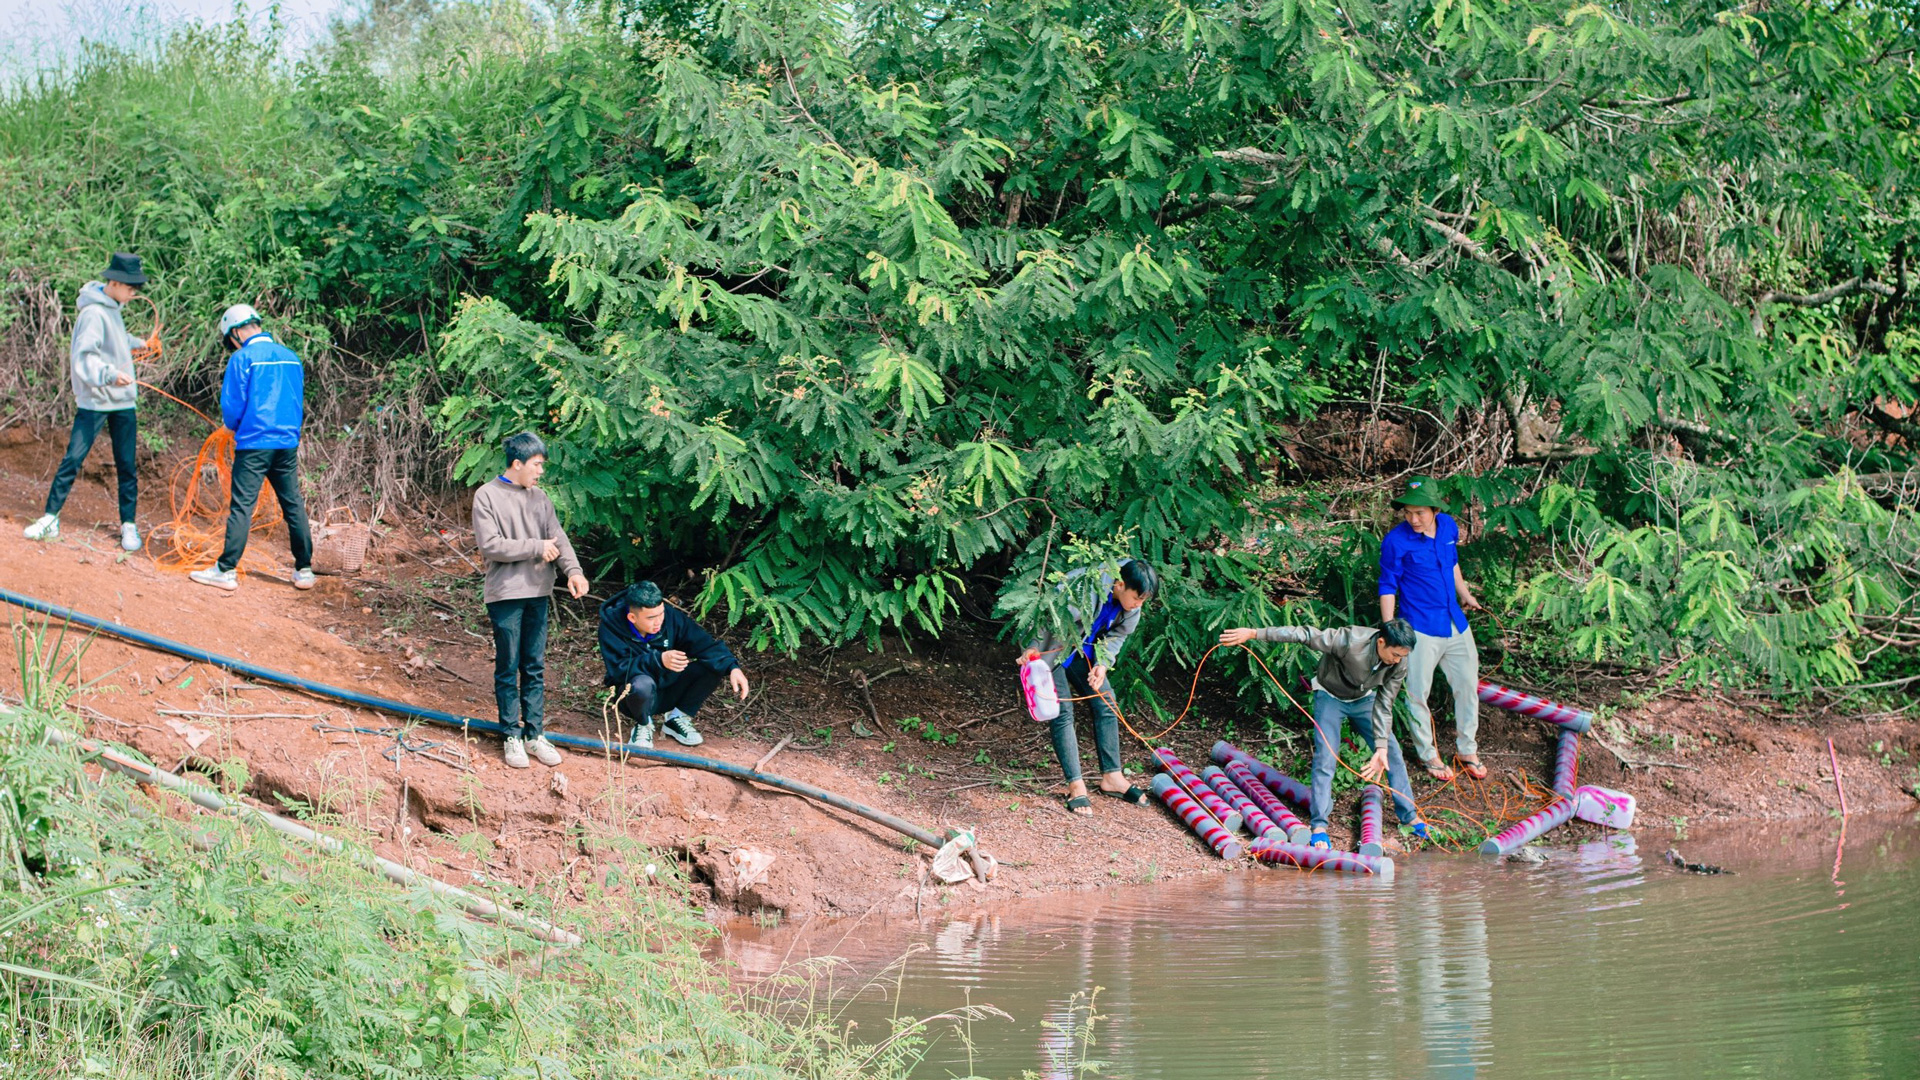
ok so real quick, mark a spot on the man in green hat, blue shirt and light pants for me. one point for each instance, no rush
(1422, 583)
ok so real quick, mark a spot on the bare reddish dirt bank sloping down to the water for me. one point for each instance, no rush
(535, 831)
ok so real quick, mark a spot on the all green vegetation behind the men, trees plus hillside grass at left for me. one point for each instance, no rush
(859, 310)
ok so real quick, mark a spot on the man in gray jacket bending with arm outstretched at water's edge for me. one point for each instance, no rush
(1358, 677)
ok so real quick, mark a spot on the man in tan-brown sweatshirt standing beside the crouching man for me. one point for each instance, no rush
(523, 543)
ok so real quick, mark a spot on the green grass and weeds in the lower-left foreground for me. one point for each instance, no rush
(141, 939)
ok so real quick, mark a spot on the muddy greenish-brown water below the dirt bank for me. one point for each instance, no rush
(1602, 964)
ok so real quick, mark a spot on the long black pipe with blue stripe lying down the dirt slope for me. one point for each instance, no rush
(468, 724)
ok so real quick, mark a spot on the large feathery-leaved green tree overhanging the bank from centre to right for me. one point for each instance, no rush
(930, 291)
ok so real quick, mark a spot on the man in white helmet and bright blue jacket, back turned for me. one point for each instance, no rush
(262, 403)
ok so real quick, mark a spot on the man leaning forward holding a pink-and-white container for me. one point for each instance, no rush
(1111, 610)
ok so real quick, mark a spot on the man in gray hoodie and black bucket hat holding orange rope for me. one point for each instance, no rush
(105, 393)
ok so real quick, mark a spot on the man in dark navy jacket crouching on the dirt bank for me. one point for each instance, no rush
(661, 664)
